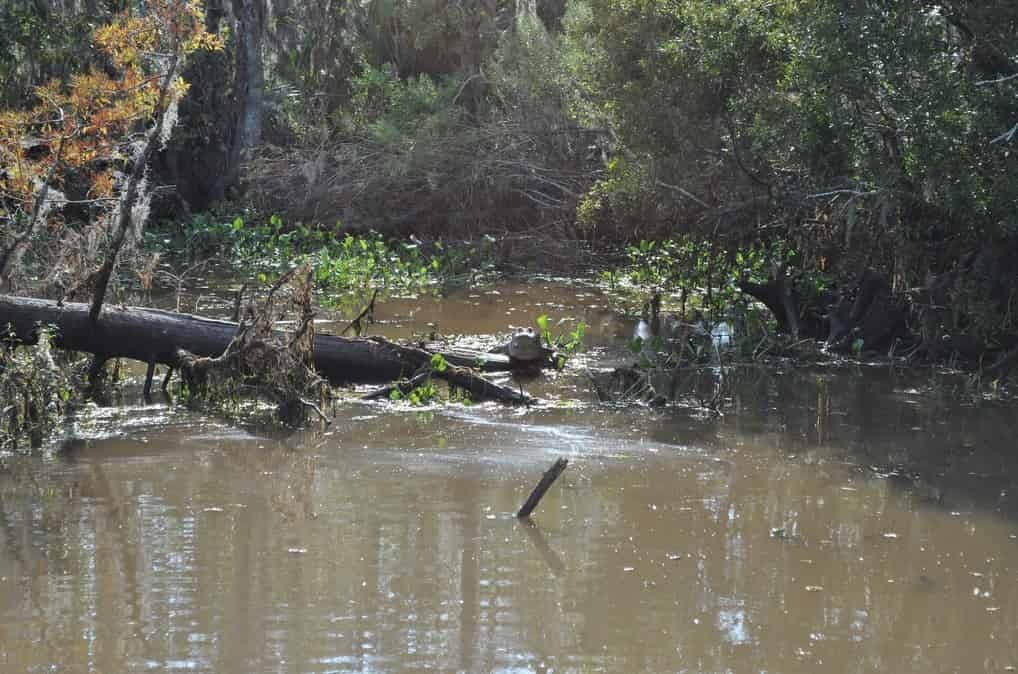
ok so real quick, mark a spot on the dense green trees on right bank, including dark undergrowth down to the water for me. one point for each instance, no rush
(863, 136)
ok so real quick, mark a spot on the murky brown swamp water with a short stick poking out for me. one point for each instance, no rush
(850, 521)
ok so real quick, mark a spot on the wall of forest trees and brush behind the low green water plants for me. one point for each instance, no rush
(850, 163)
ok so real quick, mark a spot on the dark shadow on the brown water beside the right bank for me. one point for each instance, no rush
(933, 442)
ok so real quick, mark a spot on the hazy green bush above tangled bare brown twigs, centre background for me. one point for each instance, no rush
(460, 154)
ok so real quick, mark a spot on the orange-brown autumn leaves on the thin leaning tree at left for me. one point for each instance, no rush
(89, 121)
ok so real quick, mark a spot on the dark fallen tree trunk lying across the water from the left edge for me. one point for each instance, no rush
(155, 336)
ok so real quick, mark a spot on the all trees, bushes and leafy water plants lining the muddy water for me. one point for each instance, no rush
(752, 180)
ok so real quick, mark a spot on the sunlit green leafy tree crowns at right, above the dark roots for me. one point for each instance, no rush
(888, 115)
